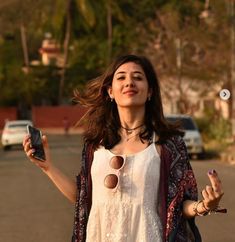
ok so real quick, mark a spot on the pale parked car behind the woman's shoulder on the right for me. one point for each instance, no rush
(192, 136)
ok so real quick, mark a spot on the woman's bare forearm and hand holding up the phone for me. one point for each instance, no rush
(66, 185)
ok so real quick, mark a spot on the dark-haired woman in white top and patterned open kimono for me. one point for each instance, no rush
(136, 182)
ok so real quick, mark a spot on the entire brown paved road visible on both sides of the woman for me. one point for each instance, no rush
(32, 210)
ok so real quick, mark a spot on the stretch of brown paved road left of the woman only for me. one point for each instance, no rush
(31, 209)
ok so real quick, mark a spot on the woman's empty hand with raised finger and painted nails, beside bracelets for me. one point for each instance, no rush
(212, 194)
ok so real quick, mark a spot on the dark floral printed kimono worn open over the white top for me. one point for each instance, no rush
(177, 184)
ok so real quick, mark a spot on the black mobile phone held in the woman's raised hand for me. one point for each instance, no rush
(36, 143)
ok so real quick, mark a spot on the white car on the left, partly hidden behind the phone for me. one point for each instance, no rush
(14, 132)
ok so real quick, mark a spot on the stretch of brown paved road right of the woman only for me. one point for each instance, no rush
(217, 227)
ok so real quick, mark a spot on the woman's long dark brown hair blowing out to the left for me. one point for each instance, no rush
(102, 122)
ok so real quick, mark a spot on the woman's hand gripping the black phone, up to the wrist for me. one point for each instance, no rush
(44, 165)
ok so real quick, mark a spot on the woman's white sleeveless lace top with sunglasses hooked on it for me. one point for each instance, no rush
(128, 214)
